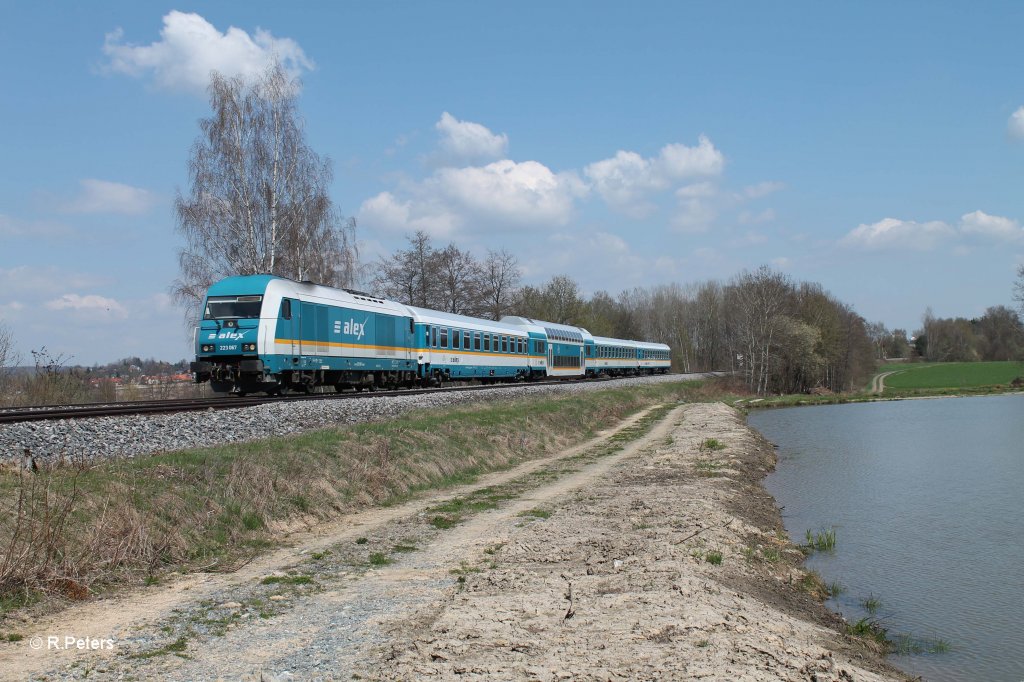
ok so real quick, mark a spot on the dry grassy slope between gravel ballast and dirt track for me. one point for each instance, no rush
(71, 532)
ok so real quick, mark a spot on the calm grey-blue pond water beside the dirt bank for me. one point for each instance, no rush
(927, 499)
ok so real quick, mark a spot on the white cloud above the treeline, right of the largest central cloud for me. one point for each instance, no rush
(626, 180)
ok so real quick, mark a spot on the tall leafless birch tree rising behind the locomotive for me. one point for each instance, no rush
(260, 201)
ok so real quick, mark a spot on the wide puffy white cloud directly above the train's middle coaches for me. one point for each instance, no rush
(477, 198)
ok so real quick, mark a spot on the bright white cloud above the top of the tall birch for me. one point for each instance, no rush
(190, 48)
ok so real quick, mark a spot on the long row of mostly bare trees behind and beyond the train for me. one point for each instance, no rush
(781, 335)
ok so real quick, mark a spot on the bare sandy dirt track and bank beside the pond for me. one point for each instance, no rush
(649, 552)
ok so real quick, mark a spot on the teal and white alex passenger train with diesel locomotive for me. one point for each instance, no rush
(264, 333)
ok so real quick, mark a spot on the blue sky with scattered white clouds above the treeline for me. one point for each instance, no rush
(875, 148)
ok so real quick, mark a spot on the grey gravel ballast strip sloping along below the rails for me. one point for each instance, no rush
(108, 438)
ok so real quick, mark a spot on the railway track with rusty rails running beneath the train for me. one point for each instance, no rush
(45, 413)
